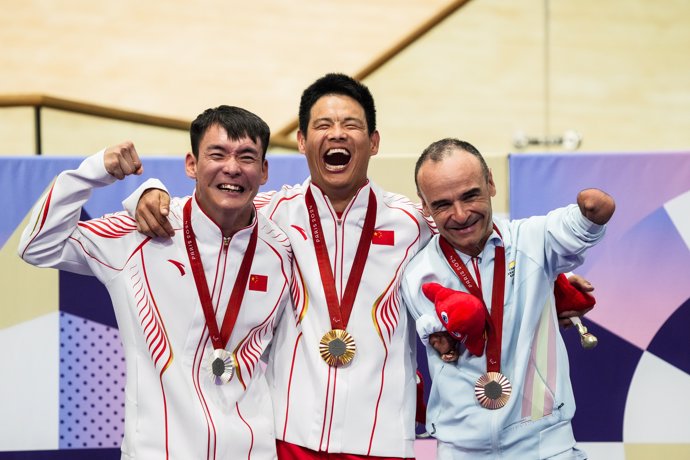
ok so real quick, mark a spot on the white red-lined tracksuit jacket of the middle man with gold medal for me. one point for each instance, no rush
(367, 407)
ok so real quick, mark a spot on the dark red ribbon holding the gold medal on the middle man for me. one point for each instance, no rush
(340, 312)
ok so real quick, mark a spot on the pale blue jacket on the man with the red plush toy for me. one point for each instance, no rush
(535, 423)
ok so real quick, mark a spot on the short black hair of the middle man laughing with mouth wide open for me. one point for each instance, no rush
(340, 84)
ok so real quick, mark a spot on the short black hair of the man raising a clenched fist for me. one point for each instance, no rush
(236, 121)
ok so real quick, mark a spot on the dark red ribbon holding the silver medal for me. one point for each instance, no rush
(219, 339)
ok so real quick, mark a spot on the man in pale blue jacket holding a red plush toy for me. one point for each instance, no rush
(482, 296)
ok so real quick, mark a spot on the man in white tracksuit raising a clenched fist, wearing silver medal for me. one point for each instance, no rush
(196, 311)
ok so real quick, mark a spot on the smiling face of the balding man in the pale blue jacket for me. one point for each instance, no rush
(456, 193)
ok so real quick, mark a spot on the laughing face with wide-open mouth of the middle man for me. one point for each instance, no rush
(338, 147)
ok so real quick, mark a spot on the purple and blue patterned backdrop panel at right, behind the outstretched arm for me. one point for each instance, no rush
(640, 276)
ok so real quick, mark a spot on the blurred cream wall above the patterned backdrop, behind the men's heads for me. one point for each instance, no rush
(501, 74)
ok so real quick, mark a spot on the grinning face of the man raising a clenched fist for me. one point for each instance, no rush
(228, 175)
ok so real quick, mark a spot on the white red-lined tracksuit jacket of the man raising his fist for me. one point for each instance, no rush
(173, 410)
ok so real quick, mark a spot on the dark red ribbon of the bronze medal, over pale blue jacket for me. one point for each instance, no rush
(495, 330)
